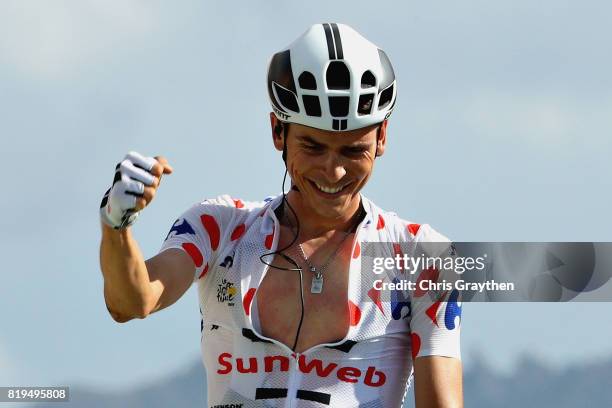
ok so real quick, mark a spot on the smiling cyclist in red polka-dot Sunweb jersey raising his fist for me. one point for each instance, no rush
(285, 318)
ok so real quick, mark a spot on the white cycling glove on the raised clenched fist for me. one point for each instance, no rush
(117, 209)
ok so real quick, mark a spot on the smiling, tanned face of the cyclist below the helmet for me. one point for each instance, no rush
(330, 168)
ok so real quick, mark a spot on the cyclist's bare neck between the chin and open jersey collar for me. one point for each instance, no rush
(313, 225)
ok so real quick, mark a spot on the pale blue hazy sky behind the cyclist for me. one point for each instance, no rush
(500, 133)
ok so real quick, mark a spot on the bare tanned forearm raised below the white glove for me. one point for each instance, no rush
(127, 287)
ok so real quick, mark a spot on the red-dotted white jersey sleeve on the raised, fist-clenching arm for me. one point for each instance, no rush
(201, 232)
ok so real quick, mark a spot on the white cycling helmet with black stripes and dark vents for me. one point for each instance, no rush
(344, 82)
